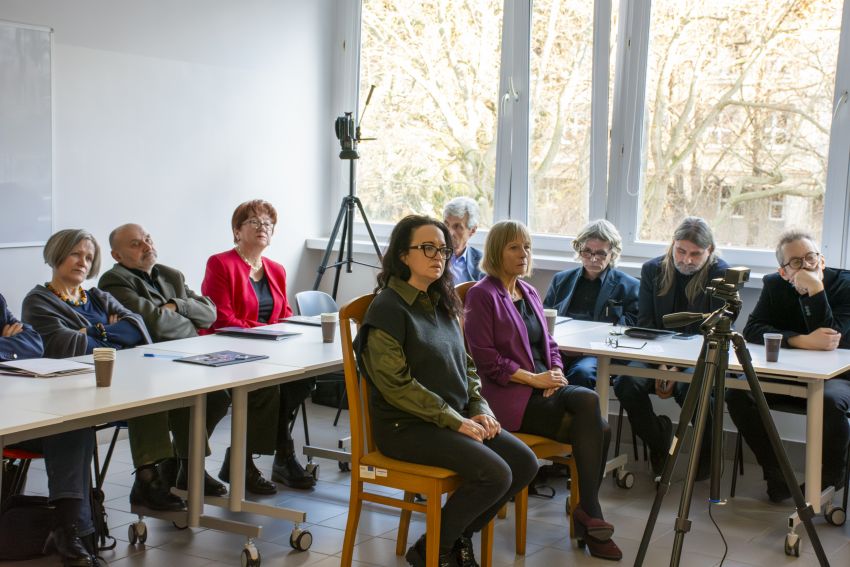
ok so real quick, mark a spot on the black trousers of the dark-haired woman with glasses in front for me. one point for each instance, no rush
(492, 471)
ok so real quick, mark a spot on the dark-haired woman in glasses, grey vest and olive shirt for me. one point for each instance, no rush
(426, 404)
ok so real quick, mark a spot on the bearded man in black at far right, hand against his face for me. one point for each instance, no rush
(809, 304)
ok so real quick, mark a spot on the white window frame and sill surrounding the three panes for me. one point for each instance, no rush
(616, 155)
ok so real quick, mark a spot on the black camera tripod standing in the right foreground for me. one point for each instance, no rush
(709, 376)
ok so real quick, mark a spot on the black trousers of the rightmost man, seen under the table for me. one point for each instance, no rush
(836, 431)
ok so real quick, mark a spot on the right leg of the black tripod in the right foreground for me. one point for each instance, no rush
(804, 510)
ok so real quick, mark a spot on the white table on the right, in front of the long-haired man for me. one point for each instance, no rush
(798, 373)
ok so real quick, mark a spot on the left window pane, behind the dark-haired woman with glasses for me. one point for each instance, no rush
(434, 111)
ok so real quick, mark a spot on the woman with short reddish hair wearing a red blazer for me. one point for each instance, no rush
(248, 291)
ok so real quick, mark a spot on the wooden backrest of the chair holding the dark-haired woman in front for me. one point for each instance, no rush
(356, 387)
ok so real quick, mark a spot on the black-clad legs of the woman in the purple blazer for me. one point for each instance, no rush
(572, 415)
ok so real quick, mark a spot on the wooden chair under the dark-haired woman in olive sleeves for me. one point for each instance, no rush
(368, 465)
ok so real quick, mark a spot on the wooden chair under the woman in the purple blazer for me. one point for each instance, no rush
(543, 448)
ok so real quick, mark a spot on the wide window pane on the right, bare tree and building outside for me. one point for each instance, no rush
(741, 91)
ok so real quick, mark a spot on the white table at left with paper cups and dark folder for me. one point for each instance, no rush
(142, 385)
